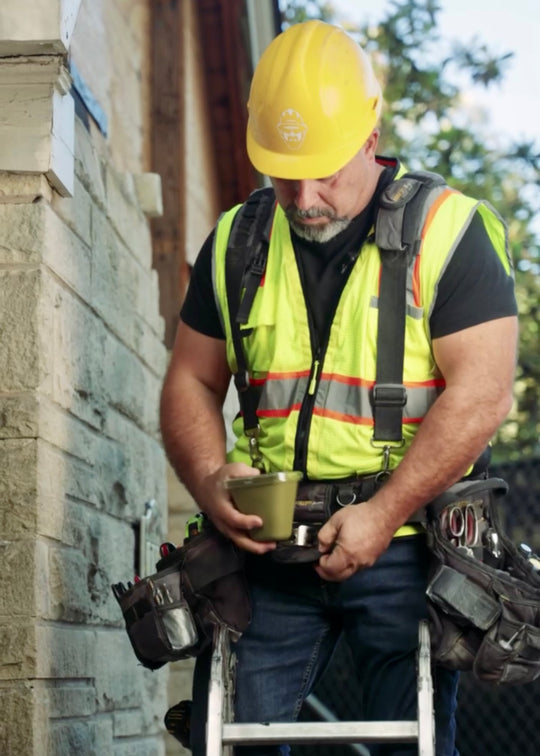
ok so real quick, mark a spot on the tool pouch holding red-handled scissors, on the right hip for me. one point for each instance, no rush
(485, 617)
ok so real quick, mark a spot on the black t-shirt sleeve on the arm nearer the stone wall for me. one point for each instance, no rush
(199, 310)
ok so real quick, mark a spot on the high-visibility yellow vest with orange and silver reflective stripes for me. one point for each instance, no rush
(337, 433)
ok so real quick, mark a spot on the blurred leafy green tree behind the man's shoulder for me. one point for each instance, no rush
(425, 122)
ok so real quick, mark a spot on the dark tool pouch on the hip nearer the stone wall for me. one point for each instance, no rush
(171, 615)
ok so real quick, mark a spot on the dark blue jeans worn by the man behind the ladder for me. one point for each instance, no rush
(297, 621)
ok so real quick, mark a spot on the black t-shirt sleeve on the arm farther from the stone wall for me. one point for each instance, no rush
(474, 288)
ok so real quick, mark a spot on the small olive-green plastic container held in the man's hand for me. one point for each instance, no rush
(271, 496)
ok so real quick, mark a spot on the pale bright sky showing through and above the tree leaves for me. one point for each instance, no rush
(513, 107)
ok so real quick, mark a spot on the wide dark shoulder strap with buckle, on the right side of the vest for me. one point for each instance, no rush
(404, 205)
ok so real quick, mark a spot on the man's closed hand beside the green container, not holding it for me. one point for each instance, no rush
(352, 539)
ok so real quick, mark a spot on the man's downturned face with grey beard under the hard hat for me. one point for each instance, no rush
(319, 209)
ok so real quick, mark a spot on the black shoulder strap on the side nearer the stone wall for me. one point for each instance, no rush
(247, 252)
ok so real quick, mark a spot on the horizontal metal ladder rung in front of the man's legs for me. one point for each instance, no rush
(320, 732)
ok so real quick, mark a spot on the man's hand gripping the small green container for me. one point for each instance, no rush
(219, 507)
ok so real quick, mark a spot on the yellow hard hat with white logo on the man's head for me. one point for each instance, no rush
(314, 100)
